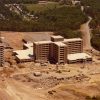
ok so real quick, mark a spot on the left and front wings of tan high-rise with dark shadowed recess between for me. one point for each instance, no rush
(54, 52)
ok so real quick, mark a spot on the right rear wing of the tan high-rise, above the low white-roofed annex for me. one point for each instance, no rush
(74, 45)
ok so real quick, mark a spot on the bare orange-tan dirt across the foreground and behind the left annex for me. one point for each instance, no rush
(68, 82)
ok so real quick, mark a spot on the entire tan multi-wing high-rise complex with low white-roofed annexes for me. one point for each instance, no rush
(57, 50)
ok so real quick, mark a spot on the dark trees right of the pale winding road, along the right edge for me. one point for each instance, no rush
(92, 8)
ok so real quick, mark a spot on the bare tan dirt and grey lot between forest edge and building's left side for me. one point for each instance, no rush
(14, 39)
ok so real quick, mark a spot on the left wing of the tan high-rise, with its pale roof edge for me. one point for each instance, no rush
(42, 50)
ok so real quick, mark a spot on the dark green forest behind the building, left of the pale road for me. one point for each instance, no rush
(63, 20)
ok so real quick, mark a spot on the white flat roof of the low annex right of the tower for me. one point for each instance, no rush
(77, 56)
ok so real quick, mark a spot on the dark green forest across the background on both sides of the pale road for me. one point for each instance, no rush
(64, 21)
